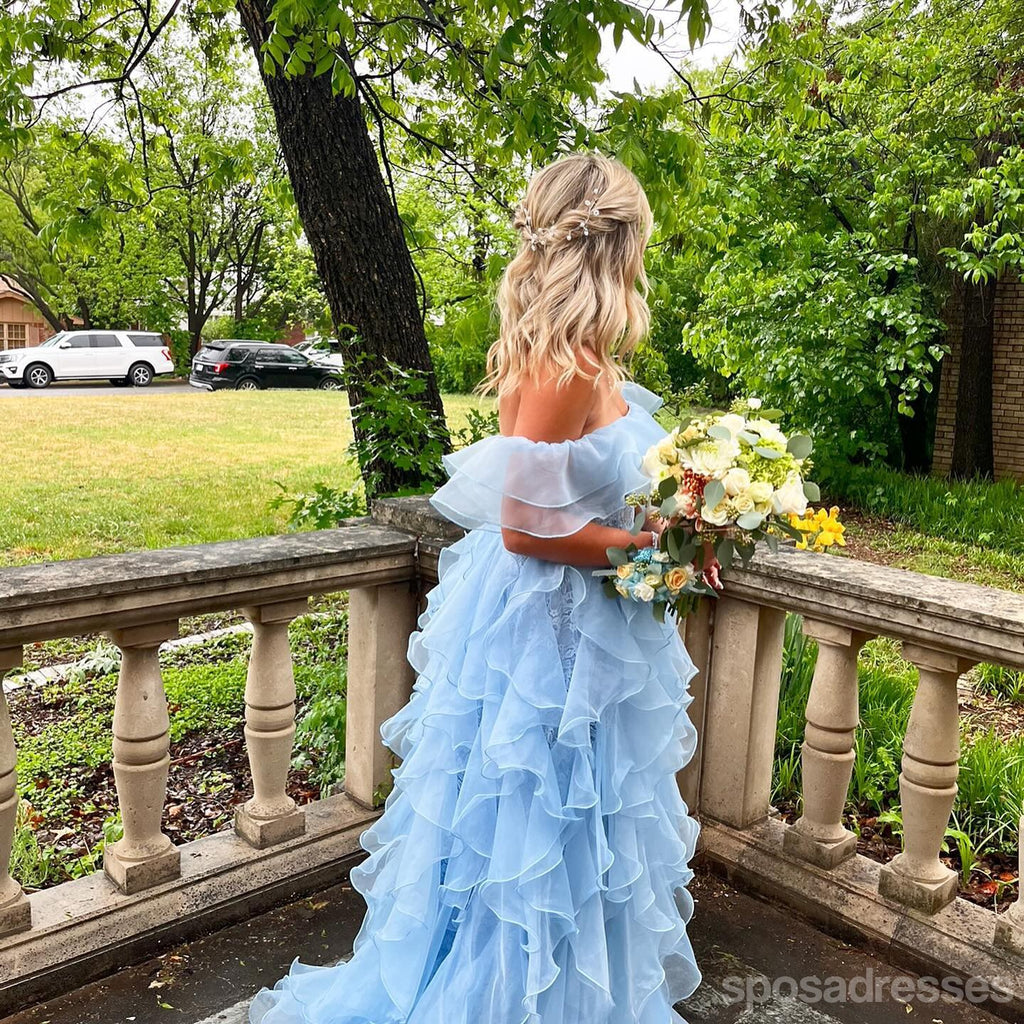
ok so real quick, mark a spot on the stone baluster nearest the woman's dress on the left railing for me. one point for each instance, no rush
(271, 817)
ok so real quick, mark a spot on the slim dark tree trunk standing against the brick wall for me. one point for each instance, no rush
(972, 455)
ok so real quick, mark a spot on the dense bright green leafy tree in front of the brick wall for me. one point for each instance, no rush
(856, 172)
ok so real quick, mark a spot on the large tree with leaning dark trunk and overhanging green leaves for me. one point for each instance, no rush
(501, 81)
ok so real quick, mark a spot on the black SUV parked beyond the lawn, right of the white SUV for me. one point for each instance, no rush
(251, 366)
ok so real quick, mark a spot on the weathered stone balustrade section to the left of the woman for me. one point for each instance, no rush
(137, 601)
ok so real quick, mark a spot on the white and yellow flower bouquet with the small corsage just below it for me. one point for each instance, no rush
(724, 483)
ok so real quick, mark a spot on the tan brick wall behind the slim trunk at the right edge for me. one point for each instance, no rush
(1008, 383)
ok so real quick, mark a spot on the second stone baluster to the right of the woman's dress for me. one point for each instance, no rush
(927, 784)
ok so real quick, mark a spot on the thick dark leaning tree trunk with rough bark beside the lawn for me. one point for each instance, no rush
(353, 228)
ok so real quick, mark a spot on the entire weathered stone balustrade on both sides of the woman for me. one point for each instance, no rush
(153, 891)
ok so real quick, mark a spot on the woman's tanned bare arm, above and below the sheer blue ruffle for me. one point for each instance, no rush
(549, 413)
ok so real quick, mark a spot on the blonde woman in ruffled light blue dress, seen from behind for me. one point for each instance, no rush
(529, 862)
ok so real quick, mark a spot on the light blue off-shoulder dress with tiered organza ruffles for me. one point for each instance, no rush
(532, 861)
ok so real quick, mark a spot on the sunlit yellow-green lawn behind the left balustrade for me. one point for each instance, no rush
(93, 475)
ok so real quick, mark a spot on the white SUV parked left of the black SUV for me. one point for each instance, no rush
(133, 358)
